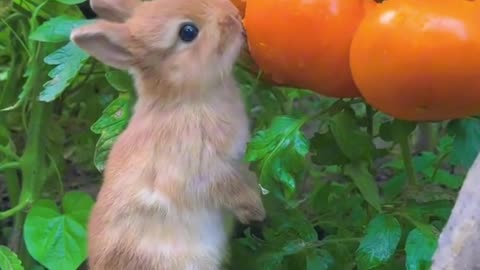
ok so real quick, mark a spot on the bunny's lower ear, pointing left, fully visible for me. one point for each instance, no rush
(105, 41)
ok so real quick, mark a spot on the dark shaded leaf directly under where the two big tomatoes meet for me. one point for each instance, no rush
(354, 143)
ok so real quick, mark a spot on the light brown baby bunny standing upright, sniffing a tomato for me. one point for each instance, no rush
(176, 172)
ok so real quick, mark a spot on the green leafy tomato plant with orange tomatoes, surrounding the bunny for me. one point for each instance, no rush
(345, 185)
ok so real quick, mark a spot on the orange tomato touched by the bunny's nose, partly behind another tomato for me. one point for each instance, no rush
(305, 44)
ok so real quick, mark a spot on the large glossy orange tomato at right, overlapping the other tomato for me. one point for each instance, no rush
(420, 60)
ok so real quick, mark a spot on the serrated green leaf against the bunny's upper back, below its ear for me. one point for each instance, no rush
(113, 121)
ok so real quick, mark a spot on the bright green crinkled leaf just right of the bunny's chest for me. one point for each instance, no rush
(280, 151)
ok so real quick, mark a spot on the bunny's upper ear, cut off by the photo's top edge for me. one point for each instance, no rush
(114, 10)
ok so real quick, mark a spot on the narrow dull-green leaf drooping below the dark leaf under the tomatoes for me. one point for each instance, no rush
(365, 182)
